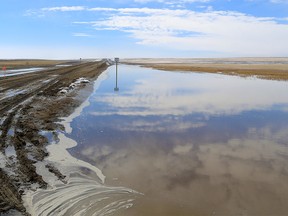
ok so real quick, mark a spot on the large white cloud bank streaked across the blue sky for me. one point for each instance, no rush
(213, 31)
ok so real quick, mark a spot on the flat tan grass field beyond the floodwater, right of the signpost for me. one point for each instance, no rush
(263, 68)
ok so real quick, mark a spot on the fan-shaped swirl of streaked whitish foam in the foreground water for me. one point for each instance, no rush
(80, 196)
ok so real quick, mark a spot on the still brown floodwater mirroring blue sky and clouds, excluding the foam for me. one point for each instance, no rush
(192, 143)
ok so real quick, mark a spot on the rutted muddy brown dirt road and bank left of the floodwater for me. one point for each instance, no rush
(31, 105)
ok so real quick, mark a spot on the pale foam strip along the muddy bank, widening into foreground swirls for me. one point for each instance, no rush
(83, 191)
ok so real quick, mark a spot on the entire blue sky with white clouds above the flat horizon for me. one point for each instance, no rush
(62, 29)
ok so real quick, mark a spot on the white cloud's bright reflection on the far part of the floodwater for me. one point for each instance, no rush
(203, 95)
